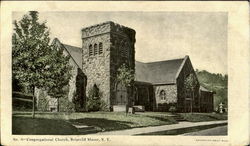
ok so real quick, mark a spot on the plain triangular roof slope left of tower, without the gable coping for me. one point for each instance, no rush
(75, 53)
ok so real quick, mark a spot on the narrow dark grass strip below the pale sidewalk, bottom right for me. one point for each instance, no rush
(183, 130)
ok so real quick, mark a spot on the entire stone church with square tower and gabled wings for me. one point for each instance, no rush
(157, 85)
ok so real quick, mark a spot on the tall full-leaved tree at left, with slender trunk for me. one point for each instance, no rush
(36, 63)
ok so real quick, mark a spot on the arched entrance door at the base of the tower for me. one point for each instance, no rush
(121, 95)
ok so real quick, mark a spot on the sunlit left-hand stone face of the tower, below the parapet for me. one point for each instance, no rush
(97, 68)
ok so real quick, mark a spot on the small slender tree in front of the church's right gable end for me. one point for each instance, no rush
(190, 84)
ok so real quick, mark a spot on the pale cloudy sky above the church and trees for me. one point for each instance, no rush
(159, 35)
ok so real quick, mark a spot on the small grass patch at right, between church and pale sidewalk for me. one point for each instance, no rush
(201, 117)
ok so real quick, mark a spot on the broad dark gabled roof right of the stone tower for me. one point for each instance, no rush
(162, 72)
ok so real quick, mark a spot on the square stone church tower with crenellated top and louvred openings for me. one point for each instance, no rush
(106, 47)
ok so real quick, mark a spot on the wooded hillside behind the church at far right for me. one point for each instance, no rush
(214, 82)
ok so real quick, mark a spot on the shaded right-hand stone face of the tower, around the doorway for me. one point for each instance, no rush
(122, 52)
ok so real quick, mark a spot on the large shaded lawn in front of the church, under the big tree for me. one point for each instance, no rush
(104, 121)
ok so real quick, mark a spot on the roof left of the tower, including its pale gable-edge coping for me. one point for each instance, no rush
(74, 52)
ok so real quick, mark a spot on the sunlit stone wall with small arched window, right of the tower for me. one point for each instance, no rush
(170, 96)
